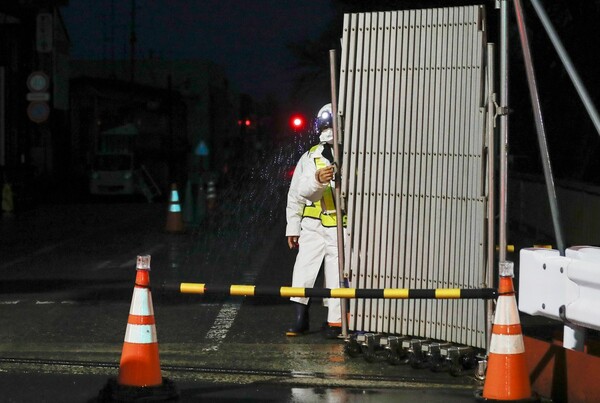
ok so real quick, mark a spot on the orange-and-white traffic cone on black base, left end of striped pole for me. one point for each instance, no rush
(139, 370)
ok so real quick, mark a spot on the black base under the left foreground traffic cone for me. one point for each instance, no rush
(113, 392)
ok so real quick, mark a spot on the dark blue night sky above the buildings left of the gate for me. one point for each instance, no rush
(247, 38)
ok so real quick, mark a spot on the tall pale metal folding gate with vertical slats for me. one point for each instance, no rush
(411, 111)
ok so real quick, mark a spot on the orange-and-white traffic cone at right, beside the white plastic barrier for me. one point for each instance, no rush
(507, 376)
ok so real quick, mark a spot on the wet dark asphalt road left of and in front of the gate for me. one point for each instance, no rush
(67, 273)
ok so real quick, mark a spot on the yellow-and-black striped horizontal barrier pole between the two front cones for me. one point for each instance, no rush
(286, 292)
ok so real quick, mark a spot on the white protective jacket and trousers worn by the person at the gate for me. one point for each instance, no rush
(316, 242)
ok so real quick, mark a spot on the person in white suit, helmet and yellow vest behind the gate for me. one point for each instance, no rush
(312, 227)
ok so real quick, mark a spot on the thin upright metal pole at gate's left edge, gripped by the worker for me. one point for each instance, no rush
(338, 189)
